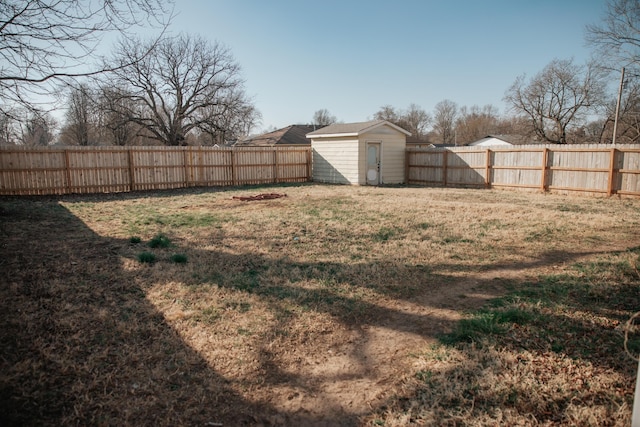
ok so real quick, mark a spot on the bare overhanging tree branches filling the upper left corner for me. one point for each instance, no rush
(45, 41)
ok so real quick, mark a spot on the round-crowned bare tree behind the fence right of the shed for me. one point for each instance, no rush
(558, 98)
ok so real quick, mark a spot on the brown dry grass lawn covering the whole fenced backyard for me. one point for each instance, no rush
(321, 308)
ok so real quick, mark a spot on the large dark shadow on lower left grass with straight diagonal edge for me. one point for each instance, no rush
(80, 344)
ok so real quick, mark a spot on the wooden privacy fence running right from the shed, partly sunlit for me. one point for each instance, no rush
(587, 168)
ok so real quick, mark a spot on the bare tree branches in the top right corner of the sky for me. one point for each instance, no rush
(617, 39)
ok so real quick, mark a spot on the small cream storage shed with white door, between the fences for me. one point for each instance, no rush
(364, 153)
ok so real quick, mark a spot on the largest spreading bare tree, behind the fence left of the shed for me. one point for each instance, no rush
(184, 83)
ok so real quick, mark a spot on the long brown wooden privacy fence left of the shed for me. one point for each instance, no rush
(32, 171)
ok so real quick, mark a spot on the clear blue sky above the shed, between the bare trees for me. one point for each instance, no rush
(352, 57)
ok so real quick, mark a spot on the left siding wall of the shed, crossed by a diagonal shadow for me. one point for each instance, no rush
(335, 161)
